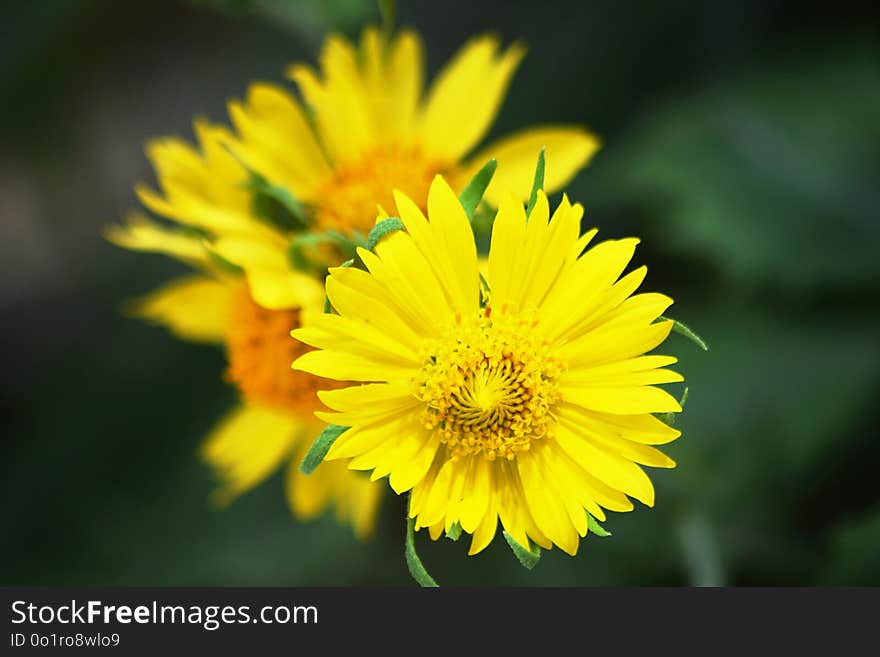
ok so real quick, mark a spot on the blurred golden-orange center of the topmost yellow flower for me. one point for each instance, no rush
(349, 198)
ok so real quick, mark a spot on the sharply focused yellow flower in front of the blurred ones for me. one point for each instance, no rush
(534, 408)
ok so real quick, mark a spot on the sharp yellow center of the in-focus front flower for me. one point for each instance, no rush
(489, 387)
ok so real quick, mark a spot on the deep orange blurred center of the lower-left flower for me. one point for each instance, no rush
(260, 351)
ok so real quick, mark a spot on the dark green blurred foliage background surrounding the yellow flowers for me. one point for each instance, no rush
(742, 142)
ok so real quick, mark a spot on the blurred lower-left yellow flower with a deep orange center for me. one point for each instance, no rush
(275, 423)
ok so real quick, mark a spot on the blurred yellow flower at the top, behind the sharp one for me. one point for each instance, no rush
(370, 128)
